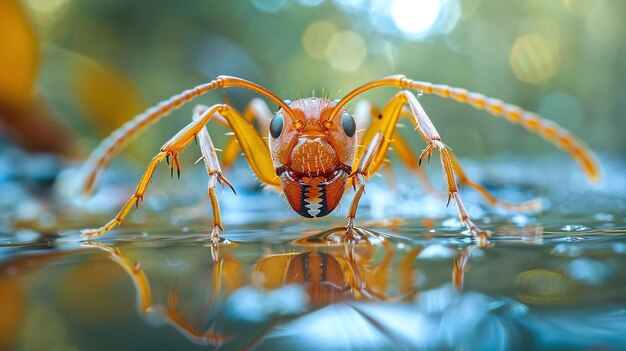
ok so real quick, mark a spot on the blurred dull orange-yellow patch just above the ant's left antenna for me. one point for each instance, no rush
(107, 95)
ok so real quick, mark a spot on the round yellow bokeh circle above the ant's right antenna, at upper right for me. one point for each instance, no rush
(534, 58)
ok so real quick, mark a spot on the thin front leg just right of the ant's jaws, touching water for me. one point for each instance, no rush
(361, 173)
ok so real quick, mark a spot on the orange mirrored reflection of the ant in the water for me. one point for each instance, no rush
(323, 271)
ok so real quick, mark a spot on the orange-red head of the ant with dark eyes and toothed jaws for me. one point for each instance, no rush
(313, 161)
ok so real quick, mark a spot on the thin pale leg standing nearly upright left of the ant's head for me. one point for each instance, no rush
(214, 171)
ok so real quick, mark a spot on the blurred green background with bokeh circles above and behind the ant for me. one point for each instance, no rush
(102, 61)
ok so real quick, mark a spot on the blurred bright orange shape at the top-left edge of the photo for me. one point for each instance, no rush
(19, 60)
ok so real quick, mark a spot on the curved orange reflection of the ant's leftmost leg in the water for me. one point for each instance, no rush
(169, 312)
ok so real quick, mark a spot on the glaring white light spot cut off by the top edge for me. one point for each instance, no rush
(415, 16)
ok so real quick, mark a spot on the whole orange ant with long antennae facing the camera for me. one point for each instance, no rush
(312, 151)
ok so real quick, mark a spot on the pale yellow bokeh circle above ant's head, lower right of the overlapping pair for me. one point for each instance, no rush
(346, 51)
